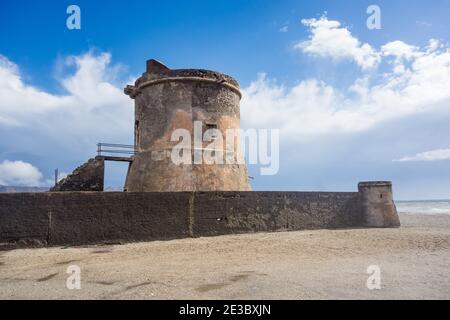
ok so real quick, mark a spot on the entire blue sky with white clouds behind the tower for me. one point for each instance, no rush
(342, 119)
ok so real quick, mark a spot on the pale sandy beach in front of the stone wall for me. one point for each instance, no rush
(325, 264)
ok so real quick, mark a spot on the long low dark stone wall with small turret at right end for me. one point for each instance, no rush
(77, 218)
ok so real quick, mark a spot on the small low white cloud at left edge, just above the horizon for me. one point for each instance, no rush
(19, 173)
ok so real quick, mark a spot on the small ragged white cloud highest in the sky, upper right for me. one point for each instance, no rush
(329, 39)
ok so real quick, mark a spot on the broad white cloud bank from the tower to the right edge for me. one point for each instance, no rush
(416, 81)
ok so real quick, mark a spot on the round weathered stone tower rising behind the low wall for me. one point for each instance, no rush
(180, 107)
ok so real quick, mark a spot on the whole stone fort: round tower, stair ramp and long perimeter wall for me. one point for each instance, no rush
(168, 201)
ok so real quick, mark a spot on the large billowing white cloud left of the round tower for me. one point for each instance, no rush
(91, 97)
